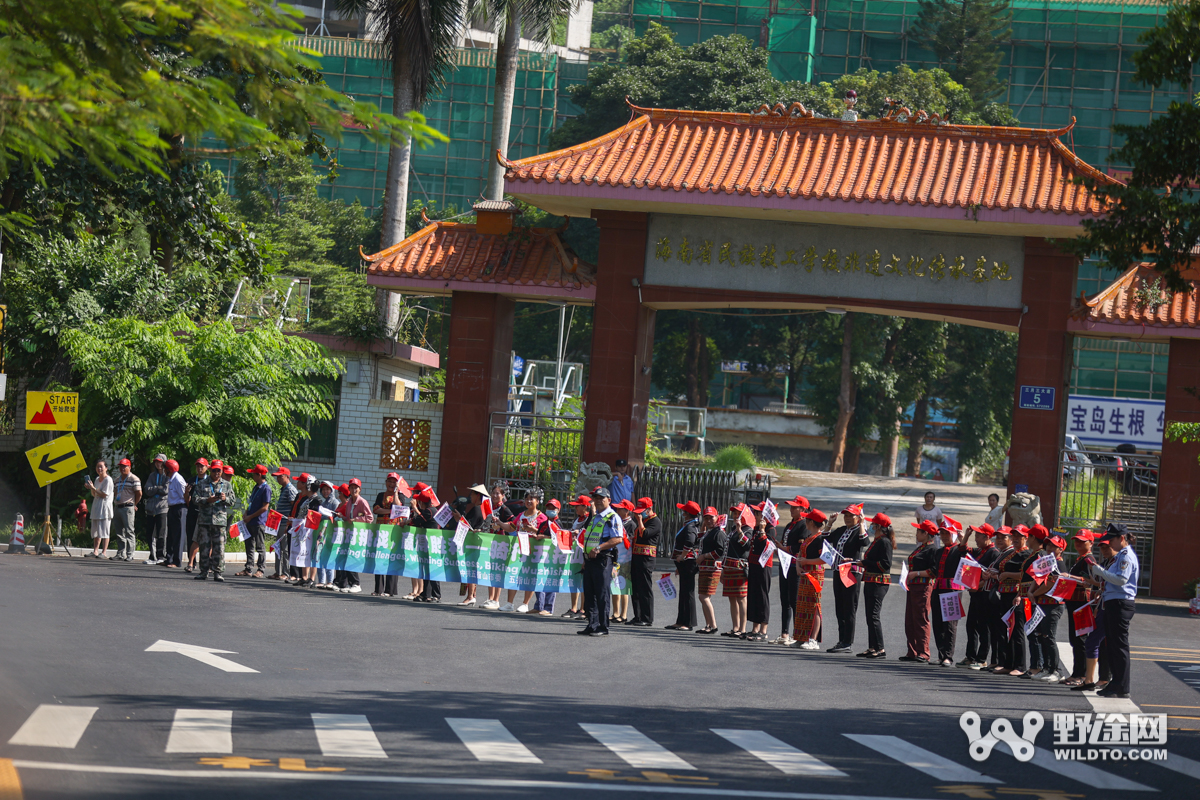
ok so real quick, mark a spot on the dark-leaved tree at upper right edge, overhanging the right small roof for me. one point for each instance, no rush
(1156, 216)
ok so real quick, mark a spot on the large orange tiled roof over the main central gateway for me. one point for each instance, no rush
(805, 158)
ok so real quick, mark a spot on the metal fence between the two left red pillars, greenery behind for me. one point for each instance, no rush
(536, 450)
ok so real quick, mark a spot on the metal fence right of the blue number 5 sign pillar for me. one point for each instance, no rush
(1096, 489)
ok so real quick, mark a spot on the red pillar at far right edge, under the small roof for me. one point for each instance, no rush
(1178, 528)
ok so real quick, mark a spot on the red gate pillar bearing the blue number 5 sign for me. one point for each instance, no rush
(1043, 356)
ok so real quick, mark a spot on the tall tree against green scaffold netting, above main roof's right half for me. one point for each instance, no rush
(967, 37)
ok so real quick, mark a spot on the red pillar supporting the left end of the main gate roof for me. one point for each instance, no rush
(622, 345)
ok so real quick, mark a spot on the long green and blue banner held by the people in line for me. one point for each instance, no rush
(484, 560)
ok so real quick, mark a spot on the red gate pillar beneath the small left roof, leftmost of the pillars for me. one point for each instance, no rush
(478, 368)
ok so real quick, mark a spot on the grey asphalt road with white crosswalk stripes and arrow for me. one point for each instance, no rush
(363, 697)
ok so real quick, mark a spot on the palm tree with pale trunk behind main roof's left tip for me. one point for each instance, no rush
(537, 19)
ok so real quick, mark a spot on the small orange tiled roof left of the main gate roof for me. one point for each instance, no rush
(451, 251)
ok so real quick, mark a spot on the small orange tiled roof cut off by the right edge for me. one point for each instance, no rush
(1121, 305)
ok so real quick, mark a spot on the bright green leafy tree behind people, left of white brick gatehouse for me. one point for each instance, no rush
(199, 390)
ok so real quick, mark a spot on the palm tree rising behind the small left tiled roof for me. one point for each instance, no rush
(419, 39)
